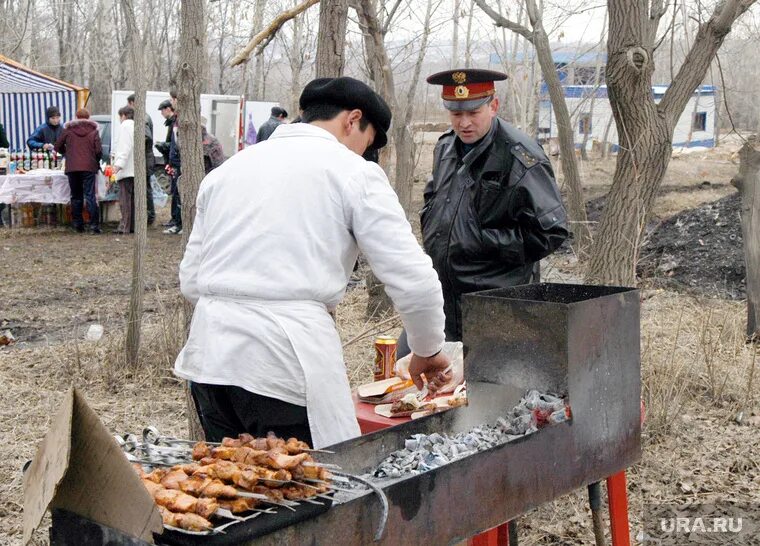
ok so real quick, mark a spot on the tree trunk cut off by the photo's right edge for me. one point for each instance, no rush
(747, 181)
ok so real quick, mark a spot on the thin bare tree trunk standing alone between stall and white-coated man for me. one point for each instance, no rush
(139, 222)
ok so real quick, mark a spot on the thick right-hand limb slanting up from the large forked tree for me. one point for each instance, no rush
(709, 38)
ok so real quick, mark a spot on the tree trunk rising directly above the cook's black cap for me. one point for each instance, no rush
(331, 40)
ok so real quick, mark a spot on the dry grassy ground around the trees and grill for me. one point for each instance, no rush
(697, 373)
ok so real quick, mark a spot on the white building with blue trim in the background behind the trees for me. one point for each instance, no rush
(695, 127)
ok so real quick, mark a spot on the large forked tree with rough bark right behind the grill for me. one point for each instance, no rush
(645, 128)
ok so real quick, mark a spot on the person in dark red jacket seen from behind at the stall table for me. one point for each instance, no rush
(80, 143)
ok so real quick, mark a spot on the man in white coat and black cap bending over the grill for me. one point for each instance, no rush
(277, 230)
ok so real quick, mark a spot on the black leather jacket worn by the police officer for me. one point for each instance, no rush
(489, 215)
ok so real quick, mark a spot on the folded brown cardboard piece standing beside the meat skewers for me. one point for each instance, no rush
(79, 467)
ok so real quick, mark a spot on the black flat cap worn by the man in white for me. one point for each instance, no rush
(350, 94)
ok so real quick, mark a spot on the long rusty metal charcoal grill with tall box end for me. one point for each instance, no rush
(576, 340)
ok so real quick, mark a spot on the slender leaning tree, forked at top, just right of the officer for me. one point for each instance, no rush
(540, 39)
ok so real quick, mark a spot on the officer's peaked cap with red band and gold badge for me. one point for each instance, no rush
(466, 89)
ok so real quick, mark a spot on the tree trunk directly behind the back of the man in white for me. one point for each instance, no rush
(192, 74)
